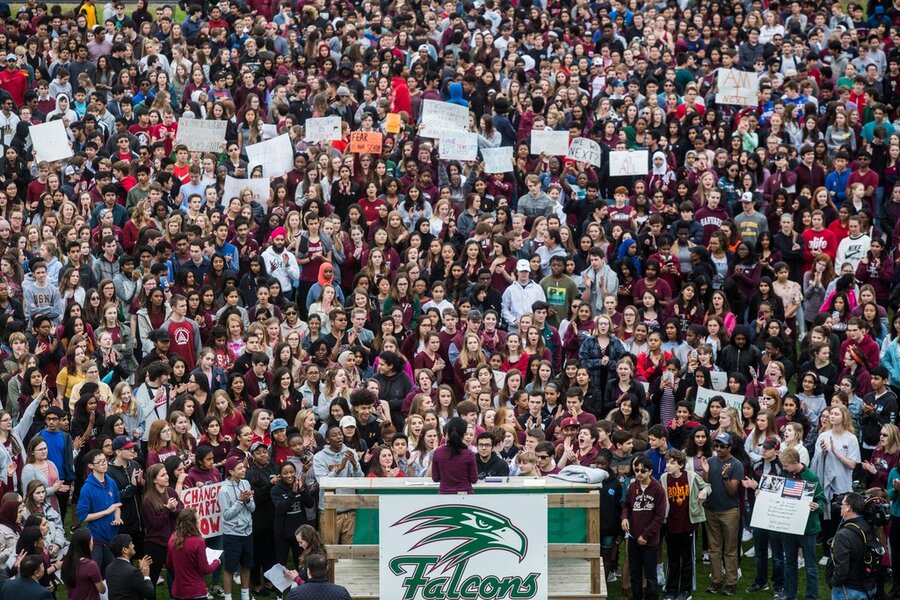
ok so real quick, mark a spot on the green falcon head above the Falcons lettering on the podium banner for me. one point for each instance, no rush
(478, 530)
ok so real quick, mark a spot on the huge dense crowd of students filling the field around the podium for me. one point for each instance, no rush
(401, 315)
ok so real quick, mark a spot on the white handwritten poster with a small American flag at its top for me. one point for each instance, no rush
(782, 505)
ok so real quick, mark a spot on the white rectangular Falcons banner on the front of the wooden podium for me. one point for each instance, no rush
(483, 546)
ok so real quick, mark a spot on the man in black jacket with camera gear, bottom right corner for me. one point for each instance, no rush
(852, 579)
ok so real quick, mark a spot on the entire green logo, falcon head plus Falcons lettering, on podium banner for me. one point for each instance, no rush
(478, 530)
